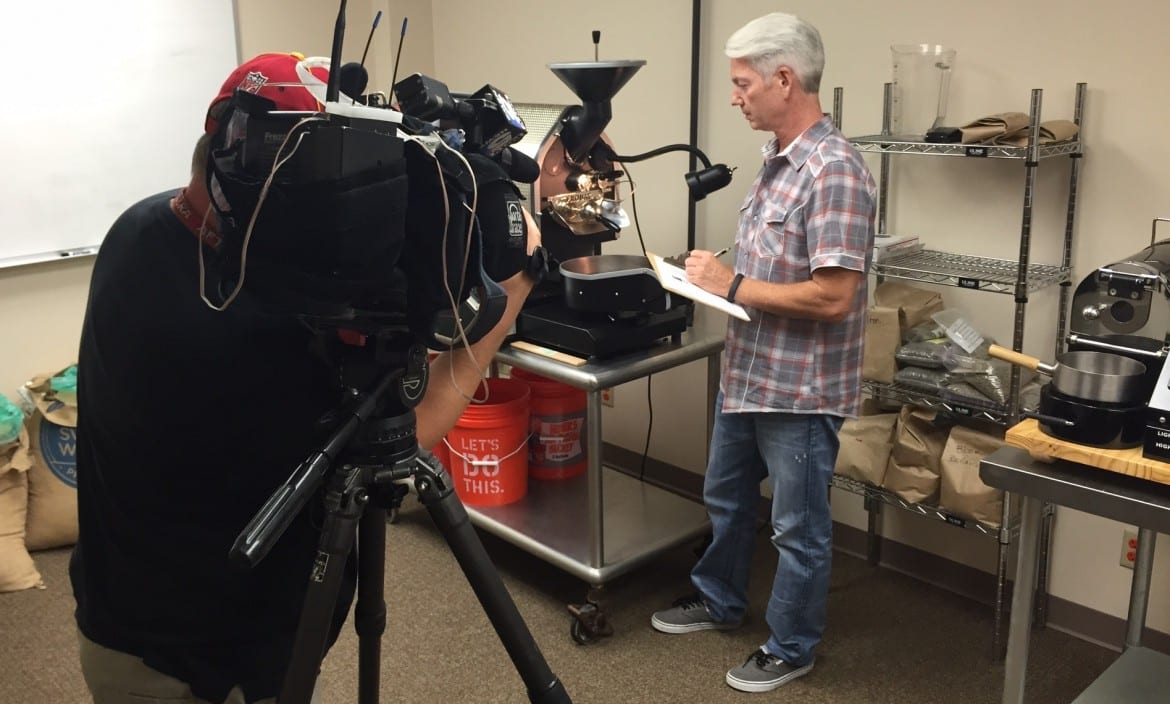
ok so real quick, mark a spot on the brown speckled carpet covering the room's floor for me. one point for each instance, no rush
(890, 639)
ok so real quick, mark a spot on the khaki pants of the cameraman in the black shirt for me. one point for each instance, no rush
(115, 678)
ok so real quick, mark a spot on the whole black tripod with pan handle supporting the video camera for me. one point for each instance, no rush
(377, 453)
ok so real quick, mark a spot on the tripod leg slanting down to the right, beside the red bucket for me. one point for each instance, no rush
(451, 517)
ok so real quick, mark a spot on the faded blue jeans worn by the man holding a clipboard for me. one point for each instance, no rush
(796, 454)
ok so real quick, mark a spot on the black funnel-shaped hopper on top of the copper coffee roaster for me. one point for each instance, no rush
(595, 82)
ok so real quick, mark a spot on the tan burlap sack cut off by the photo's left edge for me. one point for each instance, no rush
(17, 568)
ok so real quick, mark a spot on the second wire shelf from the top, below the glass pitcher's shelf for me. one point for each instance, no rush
(967, 272)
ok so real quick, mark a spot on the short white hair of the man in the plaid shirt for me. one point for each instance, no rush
(777, 40)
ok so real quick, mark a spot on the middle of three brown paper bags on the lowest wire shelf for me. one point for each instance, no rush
(914, 463)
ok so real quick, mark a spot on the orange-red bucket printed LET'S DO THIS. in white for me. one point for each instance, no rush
(486, 448)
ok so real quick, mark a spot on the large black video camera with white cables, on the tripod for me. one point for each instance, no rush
(362, 218)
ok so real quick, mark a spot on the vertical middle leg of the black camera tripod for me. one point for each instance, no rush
(370, 613)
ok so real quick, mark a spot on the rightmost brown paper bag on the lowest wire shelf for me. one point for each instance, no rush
(962, 493)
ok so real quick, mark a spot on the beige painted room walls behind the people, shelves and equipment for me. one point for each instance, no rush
(1004, 51)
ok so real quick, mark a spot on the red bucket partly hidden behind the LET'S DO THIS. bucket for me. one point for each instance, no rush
(556, 448)
